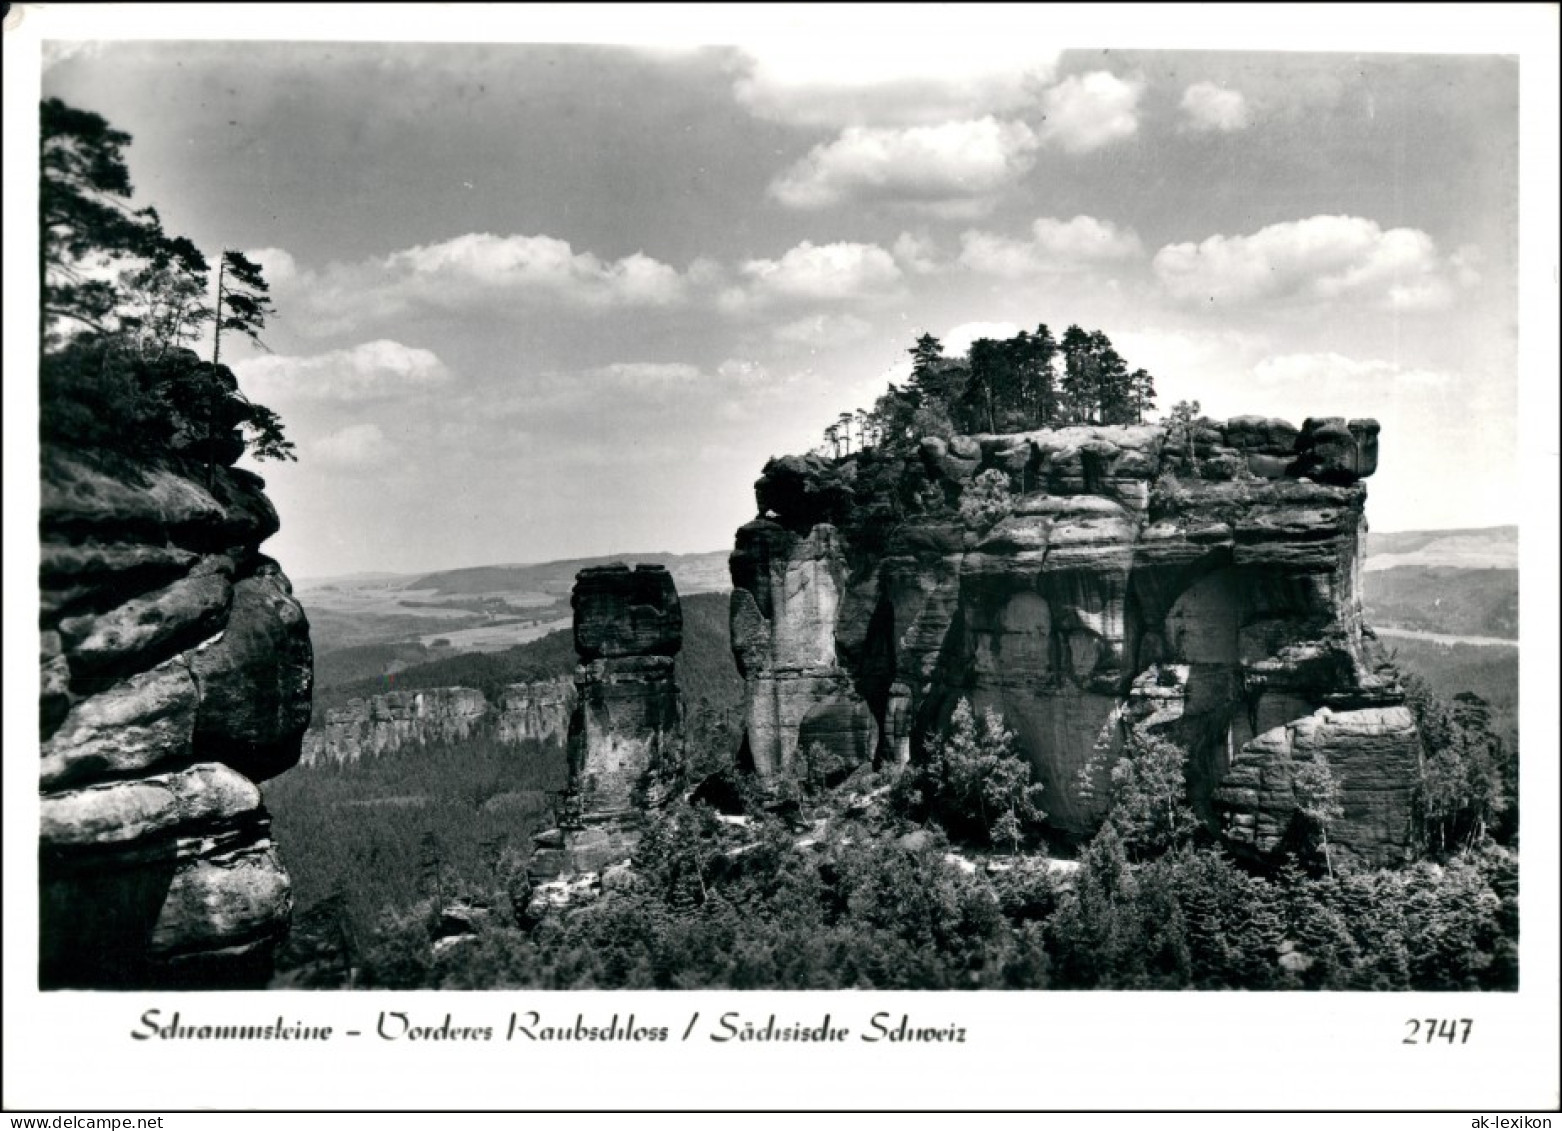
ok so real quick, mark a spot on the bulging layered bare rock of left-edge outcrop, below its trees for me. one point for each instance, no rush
(176, 673)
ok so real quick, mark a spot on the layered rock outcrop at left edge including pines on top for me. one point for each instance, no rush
(176, 665)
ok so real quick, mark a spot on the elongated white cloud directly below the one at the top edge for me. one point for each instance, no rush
(955, 162)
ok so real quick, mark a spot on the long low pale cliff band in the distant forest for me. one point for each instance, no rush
(382, 724)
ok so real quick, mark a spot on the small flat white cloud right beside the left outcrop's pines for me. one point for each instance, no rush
(362, 373)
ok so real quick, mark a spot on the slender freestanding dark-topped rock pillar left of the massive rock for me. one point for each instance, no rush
(627, 727)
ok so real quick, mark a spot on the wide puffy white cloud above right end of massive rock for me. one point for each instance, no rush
(1322, 259)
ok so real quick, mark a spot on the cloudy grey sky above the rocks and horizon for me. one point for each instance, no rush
(544, 301)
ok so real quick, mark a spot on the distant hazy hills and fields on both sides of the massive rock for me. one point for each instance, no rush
(1444, 602)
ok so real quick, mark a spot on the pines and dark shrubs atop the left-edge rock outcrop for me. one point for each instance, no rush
(124, 301)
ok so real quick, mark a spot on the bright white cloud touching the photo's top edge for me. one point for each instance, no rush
(840, 82)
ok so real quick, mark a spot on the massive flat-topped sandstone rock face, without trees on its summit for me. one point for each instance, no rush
(1202, 583)
